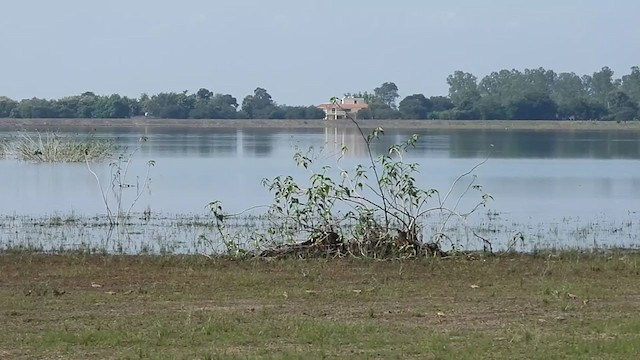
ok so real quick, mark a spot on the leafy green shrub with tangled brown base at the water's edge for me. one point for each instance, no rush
(375, 210)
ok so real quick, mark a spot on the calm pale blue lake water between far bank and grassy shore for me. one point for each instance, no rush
(557, 188)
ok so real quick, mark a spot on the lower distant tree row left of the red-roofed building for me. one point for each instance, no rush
(203, 104)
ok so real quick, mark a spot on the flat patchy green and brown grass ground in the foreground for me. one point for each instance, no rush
(502, 307)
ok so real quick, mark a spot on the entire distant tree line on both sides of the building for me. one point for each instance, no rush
(532, 94)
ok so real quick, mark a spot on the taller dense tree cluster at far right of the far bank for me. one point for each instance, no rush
(542, 94)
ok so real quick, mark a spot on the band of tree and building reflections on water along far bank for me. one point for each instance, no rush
(454, 143)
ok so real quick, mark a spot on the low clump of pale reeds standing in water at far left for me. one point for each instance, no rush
(53, 147)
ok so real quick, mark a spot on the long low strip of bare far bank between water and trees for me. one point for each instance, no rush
(55, 124)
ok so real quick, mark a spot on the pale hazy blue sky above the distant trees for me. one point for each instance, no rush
(301, 52)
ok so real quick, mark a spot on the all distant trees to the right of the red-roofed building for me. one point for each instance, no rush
(532, 94)
